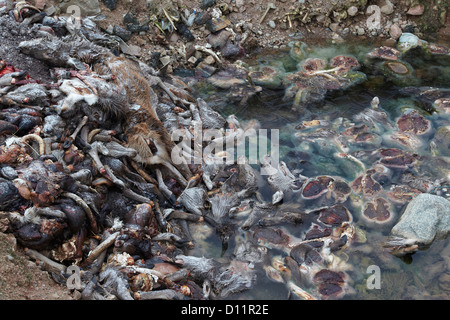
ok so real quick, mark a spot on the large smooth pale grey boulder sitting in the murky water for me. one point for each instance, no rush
(425, 219)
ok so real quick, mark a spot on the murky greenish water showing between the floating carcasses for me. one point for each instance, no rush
(425, 274)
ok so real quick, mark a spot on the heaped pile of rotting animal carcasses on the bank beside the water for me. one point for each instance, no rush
(87, 177)
